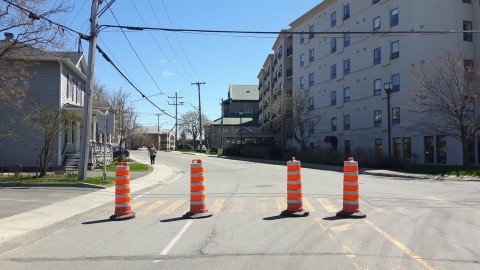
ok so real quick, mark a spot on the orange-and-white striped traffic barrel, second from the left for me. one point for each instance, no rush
(198, 207)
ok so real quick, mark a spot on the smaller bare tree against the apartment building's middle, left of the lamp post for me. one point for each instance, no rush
(304, 120)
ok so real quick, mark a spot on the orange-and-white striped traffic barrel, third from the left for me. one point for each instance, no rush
(294, 190)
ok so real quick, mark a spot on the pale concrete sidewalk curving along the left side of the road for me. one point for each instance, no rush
(14, 226)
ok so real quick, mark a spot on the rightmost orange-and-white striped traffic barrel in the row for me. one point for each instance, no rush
(351, 195)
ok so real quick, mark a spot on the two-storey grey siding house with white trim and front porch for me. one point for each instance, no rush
(54, 79)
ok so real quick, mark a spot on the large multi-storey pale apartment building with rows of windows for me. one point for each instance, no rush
(344, 69)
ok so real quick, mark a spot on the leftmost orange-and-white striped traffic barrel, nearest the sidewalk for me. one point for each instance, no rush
(123, 207)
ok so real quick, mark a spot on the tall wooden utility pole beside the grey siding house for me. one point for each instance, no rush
(87, 112)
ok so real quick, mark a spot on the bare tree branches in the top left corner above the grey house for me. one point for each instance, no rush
(33, 33)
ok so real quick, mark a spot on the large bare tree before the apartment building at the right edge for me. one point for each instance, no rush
(446, 97)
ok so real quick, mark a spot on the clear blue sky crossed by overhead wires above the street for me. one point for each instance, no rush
(176, 60)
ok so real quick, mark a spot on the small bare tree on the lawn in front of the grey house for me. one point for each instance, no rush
(47, 123)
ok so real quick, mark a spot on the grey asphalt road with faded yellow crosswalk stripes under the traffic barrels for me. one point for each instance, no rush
(410, 224)
